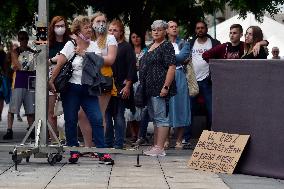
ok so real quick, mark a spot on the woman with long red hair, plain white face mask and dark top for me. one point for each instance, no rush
(58, 35)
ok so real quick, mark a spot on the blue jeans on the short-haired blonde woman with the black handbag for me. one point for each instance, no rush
(74, 97)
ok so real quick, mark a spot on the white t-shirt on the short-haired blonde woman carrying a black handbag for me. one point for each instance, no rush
(68, 51)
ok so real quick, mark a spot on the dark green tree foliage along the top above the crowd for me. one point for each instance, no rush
(137, 14)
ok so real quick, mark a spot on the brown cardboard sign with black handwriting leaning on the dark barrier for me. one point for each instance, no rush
(217, 152)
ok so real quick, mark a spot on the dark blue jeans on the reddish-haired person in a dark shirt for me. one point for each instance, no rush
(115, 123)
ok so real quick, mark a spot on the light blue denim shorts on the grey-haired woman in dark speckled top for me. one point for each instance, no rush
(157, 111)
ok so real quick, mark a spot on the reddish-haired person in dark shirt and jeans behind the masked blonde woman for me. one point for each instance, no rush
(124, 72)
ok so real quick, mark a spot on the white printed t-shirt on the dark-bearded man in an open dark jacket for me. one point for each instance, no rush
(200, 66)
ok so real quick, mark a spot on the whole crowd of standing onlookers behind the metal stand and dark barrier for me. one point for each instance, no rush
(103, 115)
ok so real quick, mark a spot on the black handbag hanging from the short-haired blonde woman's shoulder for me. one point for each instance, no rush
(60, 82)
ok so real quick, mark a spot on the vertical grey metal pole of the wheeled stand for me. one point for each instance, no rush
(41, 78)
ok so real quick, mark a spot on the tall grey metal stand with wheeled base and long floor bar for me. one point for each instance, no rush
(41, 149)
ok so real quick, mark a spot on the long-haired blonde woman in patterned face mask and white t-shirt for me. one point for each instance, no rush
(105, 46)
